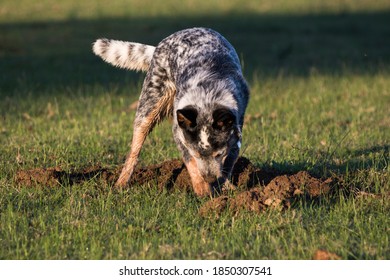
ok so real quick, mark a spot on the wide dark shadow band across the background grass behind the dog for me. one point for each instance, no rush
(49, 55)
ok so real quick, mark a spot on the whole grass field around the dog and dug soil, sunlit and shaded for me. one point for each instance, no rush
(319, 76)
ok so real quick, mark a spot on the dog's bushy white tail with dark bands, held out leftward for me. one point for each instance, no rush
(128, 55)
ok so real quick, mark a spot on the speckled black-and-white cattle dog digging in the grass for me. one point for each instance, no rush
(194, 75)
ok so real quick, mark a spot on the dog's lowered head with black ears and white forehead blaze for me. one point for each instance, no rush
(210, 135)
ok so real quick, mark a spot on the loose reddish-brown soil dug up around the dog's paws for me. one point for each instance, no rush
(257, 189)
